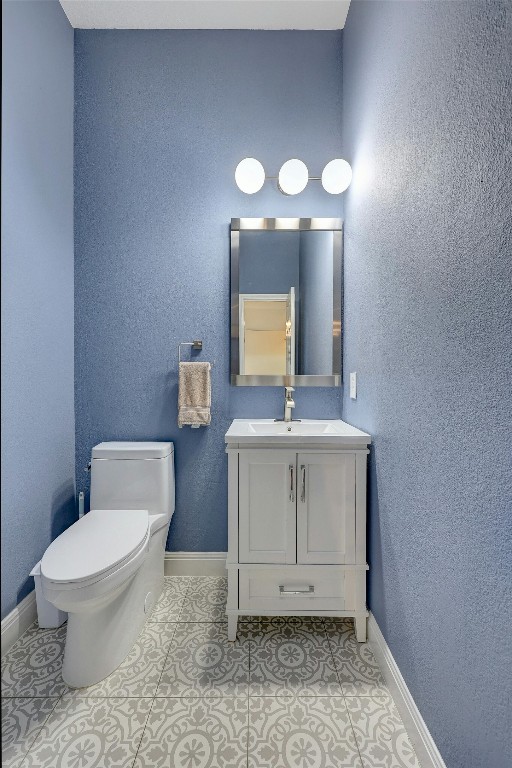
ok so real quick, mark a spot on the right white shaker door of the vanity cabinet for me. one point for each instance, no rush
(326, 508)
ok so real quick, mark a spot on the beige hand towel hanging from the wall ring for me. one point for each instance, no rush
(194, 396)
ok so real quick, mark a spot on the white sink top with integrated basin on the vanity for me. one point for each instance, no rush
(307, 431)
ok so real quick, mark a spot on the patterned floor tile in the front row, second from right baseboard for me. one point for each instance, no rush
(301, 732)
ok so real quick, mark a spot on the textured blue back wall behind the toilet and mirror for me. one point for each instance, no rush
(161, 120)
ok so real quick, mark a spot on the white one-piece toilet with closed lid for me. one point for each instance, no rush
(107, 569)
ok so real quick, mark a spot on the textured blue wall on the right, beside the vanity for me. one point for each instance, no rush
(428, 303)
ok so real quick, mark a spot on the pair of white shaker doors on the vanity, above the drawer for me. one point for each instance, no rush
(296, 507)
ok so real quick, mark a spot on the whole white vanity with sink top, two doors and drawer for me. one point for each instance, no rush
(297, 520)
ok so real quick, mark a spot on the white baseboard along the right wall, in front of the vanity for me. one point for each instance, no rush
(421, 739)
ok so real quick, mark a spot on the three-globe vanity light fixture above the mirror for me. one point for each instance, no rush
(293, 176)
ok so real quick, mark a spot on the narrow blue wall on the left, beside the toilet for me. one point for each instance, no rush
(37, 287)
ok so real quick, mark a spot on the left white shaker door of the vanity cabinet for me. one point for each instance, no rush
(267, 506)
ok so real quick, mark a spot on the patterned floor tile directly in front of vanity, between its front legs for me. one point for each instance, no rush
(291, 658)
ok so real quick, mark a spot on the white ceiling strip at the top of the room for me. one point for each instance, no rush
(206, 14)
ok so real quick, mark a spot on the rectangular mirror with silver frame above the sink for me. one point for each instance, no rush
(286, 292)
